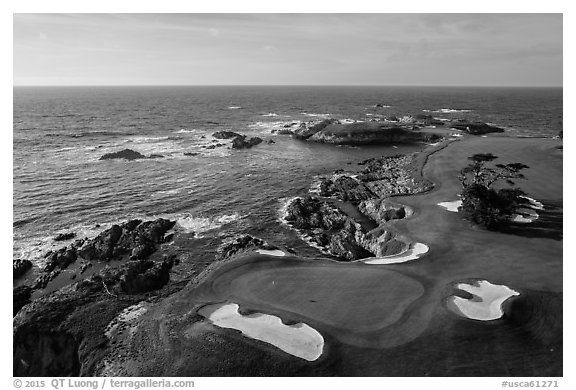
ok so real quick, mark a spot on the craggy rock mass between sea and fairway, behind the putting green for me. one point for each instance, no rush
(366, 194)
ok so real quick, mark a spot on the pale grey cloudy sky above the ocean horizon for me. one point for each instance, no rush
(327, 49)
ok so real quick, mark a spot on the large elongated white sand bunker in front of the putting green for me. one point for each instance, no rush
(299, 340)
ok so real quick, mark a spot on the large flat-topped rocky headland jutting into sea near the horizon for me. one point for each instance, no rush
(369, 133)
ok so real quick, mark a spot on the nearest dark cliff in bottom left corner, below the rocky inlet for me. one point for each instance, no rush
(63, 333)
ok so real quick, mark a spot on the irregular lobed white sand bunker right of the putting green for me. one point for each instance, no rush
(487, 302)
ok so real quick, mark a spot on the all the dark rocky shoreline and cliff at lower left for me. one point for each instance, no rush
(61, 333)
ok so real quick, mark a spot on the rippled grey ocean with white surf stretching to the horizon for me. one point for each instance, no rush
(59, 134)
